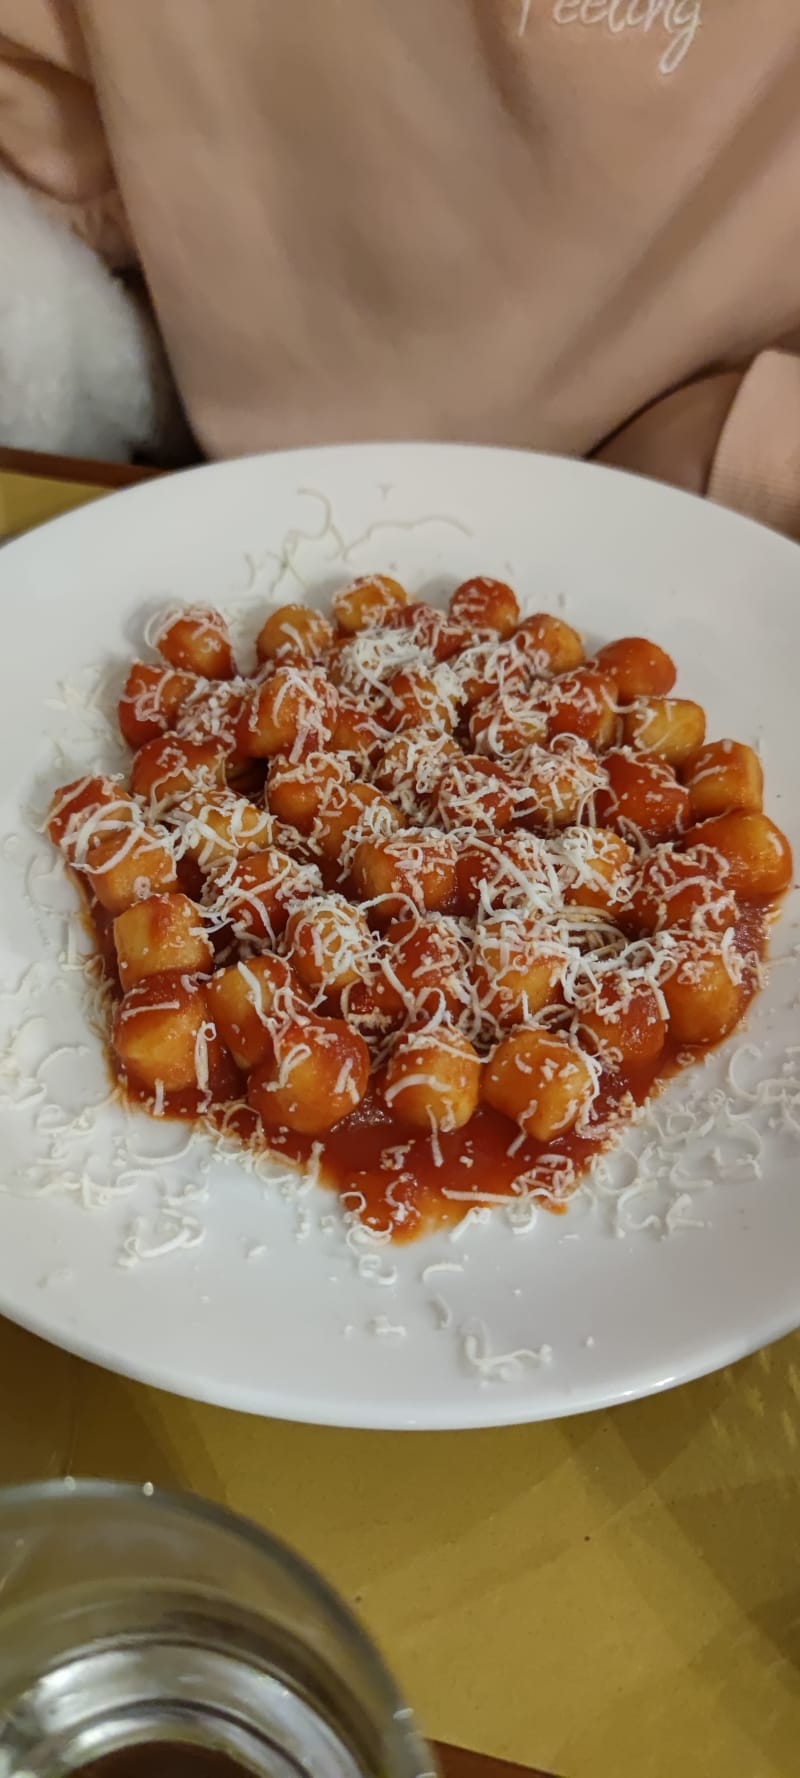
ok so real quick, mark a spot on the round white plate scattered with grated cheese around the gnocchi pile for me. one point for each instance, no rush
(262, 1306)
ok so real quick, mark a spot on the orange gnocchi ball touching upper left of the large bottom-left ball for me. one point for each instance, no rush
(250, 1002)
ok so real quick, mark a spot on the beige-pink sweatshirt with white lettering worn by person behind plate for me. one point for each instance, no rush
(515, 221)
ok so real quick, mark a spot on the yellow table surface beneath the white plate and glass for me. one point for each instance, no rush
(611, 1598)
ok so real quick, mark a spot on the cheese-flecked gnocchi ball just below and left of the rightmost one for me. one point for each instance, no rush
(676, 888)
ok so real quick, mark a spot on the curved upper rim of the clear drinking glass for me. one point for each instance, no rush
(234, 1525)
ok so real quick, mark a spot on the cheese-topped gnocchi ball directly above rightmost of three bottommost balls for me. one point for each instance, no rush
(515, 968)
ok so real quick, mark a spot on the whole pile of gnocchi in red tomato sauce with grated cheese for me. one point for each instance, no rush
(428, 895)
